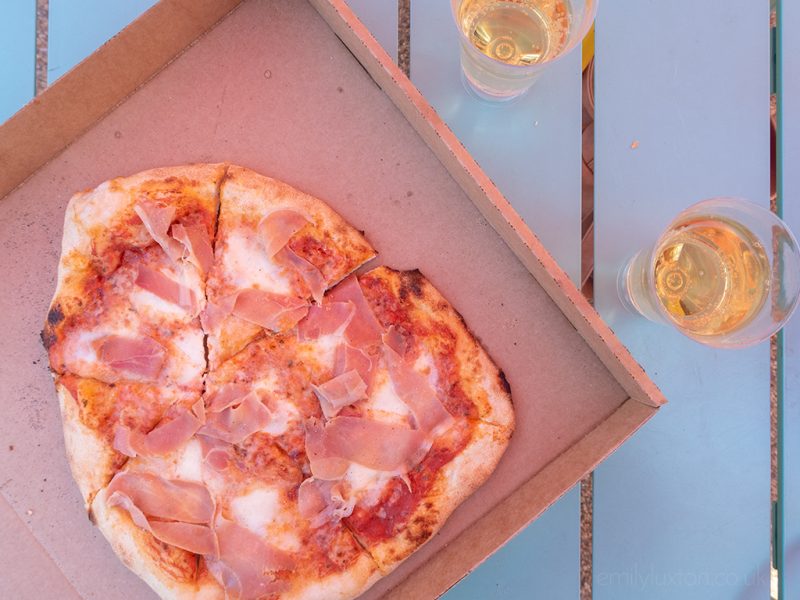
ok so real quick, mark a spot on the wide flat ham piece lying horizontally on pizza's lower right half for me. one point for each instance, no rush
(377, 445)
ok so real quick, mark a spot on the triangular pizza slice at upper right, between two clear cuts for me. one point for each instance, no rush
(277, 250)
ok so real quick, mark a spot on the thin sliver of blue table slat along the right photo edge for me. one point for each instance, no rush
(789, 448)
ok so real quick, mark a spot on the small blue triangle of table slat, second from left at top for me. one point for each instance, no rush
(78, 27)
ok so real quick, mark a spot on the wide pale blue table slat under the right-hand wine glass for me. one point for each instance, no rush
(682, 103)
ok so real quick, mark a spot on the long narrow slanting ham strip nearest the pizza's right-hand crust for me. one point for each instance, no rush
(415, 390)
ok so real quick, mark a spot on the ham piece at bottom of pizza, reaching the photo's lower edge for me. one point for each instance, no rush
(246, 563)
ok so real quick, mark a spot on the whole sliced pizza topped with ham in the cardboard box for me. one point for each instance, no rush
(249, 411)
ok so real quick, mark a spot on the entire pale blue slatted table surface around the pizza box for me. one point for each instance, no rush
(683, 509)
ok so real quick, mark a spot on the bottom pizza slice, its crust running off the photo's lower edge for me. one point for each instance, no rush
(215, 519)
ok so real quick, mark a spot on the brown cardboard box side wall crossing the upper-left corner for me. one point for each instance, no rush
(69, 107)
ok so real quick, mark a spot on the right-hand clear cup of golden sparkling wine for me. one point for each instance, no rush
(726, 273)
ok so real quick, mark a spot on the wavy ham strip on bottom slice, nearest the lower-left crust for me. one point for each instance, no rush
(167, 499)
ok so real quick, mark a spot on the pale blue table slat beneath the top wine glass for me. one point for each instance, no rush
(532, 150)
